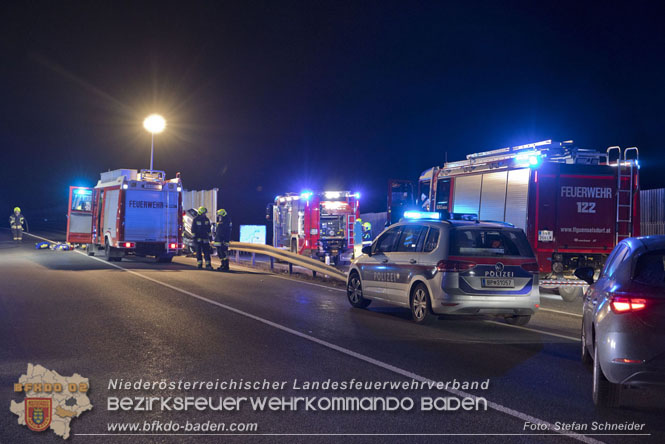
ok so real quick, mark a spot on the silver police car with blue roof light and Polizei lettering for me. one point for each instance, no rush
(436, 267)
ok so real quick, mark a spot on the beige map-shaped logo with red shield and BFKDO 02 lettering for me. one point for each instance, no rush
(51, 400)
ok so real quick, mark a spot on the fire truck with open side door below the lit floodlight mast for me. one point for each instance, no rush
(128, 213)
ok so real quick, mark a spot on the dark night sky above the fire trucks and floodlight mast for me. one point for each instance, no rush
(267, 97)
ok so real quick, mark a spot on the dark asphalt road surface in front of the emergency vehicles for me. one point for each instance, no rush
(140, 320)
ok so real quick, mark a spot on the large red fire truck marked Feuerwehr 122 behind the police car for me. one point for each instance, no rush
(574, 204)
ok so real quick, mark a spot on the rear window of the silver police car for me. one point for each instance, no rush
(489, 242)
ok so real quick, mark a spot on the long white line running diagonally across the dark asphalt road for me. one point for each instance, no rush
(498, 407)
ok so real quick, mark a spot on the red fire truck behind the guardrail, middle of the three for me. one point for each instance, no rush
(315, 224)
